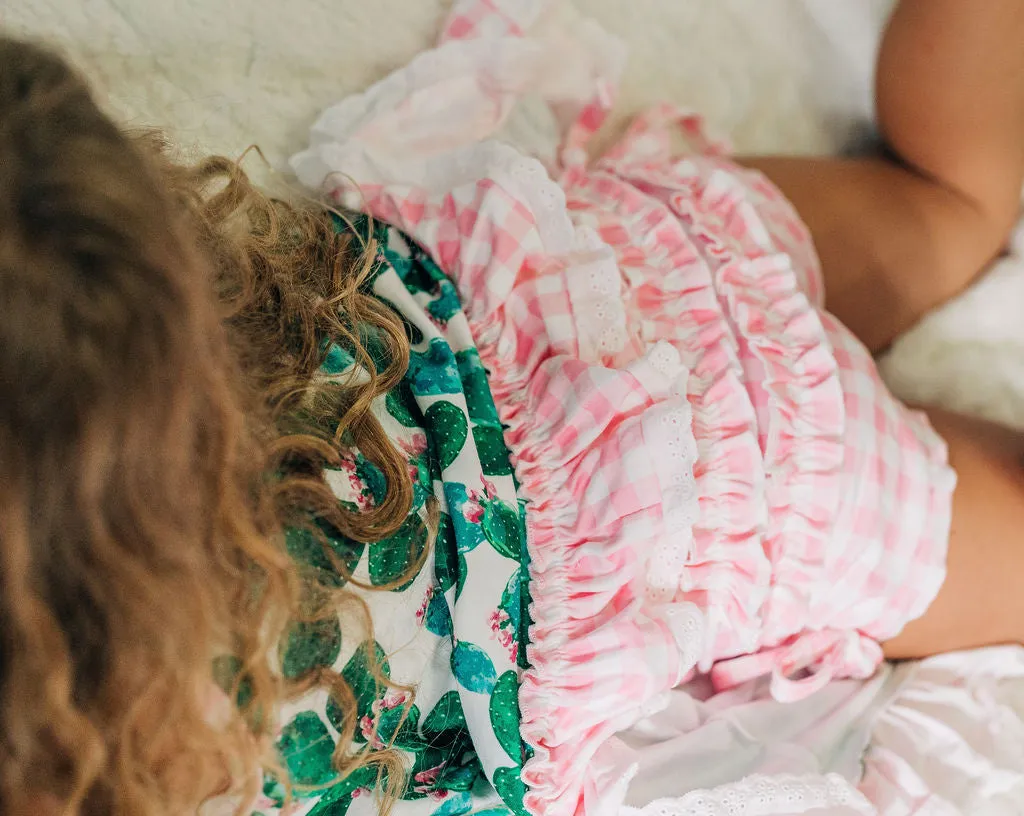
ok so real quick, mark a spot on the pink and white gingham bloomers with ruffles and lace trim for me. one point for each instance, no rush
(717, 480)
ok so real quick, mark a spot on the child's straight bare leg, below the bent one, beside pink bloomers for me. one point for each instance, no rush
(983, 600)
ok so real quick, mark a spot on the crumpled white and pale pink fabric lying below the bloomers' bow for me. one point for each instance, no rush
(943, 738)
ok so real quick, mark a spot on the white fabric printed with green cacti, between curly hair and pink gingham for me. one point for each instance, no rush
(455, 632)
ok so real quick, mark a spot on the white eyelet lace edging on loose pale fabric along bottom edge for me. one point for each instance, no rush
(763, 796)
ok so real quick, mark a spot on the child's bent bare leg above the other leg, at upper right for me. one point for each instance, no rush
(900, 236)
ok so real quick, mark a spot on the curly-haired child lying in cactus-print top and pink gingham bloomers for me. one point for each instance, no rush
(445, 506)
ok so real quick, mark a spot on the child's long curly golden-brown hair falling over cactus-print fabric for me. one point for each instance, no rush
(161, 425)
